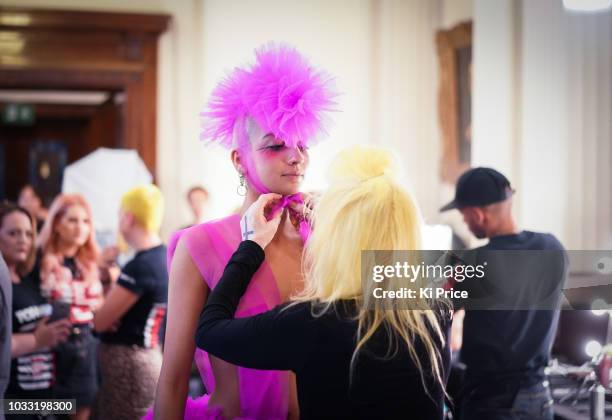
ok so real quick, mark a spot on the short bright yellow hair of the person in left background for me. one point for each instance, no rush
(146, 203)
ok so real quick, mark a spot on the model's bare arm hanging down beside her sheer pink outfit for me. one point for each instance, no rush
(186, 295)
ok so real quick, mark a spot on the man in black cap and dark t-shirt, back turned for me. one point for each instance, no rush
(505, 351)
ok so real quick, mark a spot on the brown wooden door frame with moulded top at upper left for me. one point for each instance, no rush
(129, 64)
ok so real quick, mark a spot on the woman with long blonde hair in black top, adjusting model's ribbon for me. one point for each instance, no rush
(351, 359)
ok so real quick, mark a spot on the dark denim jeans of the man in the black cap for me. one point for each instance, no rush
(532, 402)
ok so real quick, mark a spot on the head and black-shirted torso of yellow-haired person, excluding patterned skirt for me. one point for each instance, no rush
(135, 305)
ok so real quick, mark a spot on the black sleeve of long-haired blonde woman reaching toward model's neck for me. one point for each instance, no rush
(279, 339)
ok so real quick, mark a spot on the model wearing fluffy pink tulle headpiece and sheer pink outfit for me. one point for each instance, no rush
(268, 114)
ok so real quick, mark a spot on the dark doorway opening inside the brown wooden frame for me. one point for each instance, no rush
(36, 151)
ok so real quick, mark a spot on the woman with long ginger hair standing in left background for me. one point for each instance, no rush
(70, 280)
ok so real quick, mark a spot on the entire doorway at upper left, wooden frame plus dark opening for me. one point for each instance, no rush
(109, 54)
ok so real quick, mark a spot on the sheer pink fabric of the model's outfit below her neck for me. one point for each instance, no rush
(263, 394)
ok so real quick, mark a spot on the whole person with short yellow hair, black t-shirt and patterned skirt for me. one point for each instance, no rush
(129, 355)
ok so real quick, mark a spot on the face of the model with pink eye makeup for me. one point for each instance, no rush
(274, 167)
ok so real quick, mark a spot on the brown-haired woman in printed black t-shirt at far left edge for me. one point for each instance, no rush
(32, 365)
